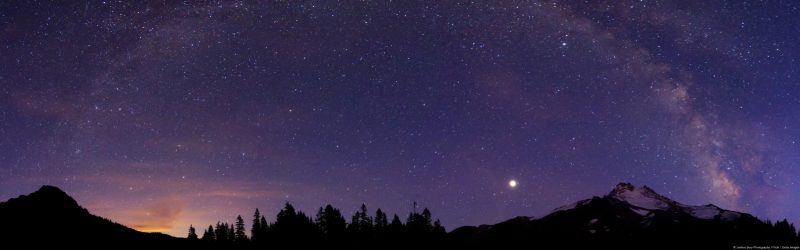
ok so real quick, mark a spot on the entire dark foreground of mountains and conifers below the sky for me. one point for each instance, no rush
(628, 217)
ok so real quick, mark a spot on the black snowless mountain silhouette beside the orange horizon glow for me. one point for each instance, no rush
(51, 217)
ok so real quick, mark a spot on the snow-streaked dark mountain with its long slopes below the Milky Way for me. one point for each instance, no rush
(633, 217)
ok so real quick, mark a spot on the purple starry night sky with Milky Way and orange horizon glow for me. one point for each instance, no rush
(163, 114)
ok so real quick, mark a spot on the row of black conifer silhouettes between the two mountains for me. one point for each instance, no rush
(328, 227)
